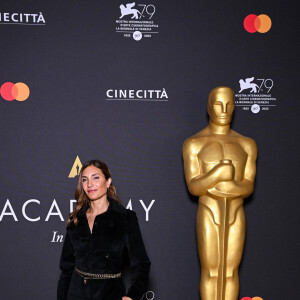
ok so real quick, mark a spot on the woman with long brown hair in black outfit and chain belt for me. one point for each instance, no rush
(100, 232)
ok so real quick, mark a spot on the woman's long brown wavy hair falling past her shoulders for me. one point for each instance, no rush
(82, 199)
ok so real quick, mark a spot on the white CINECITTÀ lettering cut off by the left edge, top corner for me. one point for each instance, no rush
(22, 18)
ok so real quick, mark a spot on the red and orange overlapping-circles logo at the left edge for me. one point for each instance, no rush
(14, 91)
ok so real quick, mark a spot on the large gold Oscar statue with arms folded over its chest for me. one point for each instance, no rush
(219, 166)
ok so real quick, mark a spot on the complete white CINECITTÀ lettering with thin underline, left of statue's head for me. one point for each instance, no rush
(137, 95)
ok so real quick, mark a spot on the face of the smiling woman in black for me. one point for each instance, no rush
(94, 183)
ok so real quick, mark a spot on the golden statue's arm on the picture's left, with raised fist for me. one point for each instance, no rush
(197, 182)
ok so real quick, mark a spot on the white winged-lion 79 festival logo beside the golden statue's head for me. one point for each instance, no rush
(255, 94)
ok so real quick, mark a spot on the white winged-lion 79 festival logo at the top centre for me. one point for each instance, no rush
(136, 21)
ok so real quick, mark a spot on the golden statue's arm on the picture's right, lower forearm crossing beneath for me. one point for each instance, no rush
(243, 188)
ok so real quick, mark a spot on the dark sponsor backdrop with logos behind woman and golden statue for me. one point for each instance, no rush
(127, 82)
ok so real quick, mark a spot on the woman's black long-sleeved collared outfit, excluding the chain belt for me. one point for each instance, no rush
(102, 252)
